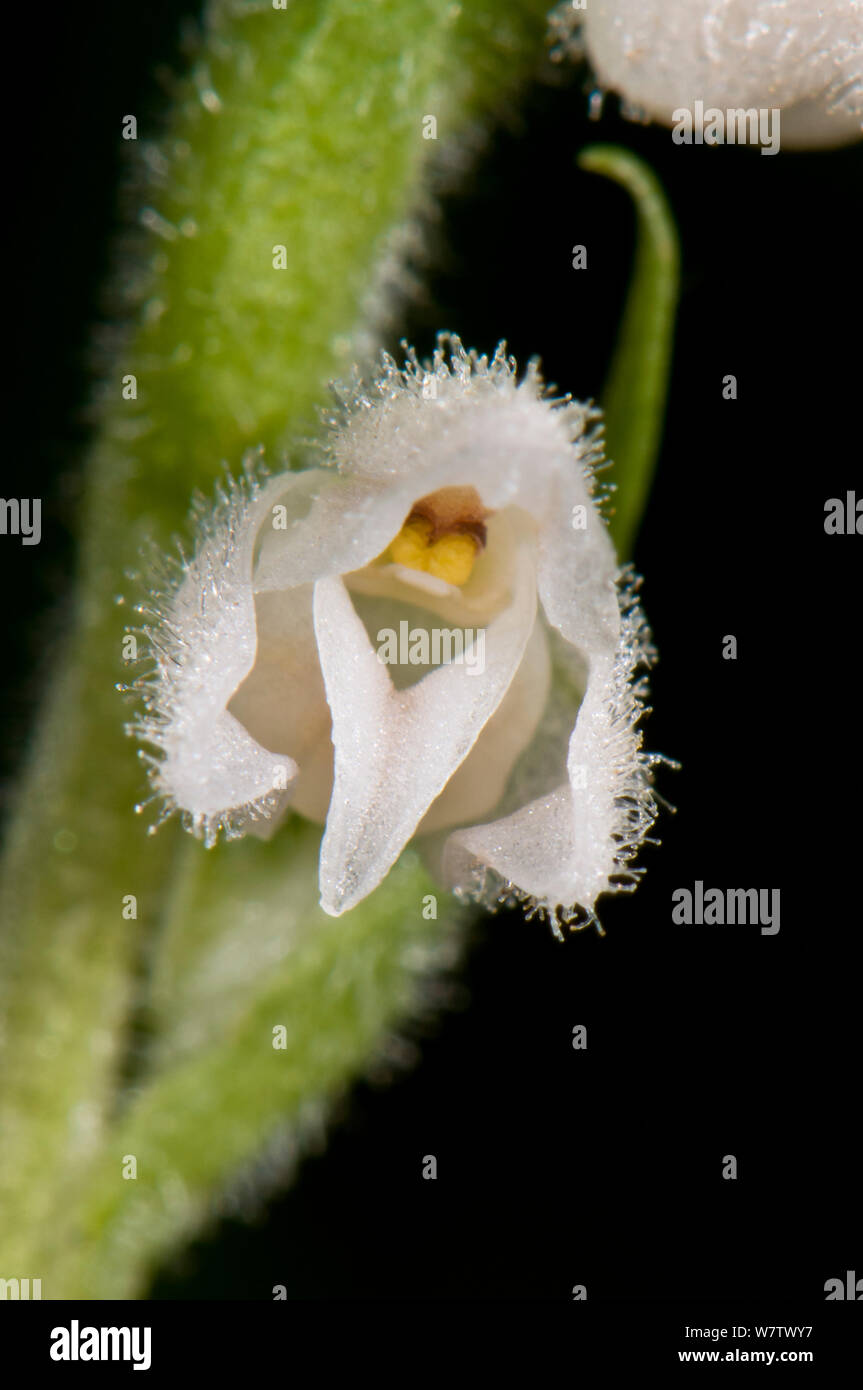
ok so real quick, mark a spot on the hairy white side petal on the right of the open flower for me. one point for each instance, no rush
(564, 850)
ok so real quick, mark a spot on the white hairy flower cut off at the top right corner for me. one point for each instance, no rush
(804, 59)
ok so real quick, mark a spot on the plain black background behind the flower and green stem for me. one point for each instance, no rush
(559, 1167)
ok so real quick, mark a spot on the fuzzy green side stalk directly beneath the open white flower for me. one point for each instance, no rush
(341, 992)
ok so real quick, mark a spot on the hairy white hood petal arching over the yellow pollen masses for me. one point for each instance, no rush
(486, 433)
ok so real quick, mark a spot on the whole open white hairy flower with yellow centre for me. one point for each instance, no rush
(430, 637)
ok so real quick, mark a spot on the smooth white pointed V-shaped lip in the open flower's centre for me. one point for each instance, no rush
(395, 751)
